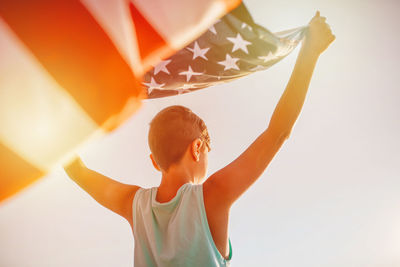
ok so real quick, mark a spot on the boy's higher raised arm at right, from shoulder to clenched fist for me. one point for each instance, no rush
(225, 186)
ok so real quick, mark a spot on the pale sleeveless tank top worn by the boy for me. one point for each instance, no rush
(174, 233)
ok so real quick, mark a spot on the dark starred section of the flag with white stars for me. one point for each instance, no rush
(233, 47)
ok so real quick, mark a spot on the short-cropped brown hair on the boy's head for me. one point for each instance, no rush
(171, 131)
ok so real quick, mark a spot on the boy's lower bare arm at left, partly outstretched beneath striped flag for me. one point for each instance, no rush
(111, 194)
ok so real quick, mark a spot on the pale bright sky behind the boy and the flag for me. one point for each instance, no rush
(330, 197)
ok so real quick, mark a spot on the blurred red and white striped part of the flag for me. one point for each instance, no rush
(71, 70)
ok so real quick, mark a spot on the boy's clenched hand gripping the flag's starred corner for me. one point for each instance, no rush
(319, 35)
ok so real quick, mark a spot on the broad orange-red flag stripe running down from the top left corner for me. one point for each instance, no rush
(78, 54)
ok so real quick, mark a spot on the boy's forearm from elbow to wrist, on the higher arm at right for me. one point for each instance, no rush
(292, 100)
